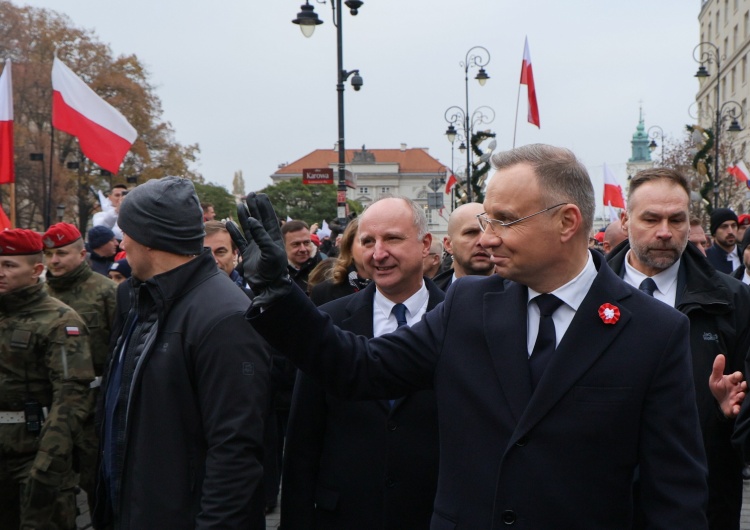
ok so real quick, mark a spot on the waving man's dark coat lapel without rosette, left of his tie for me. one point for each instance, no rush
(505, 328)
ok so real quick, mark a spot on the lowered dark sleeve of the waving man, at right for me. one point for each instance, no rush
(672, 463)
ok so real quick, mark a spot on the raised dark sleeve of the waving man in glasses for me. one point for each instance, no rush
(349, 365)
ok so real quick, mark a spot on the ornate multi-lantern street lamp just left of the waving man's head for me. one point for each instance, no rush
(463, 118)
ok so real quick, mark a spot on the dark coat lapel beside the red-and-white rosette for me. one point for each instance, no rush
(585, 340)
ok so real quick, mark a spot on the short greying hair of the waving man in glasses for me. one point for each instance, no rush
(561, 177)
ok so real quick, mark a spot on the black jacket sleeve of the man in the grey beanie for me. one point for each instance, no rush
(231, 383)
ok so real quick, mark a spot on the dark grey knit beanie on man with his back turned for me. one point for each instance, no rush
(164, 214)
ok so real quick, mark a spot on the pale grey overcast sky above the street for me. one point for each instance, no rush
(237, 77)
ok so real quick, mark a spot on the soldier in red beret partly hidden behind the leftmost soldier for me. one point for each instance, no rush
(71, 280)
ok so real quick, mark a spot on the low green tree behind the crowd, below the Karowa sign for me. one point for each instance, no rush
(310, 203)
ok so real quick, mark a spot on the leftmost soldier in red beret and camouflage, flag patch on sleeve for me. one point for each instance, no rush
(45, 371)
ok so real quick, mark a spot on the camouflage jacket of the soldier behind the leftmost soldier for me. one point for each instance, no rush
(93, 297)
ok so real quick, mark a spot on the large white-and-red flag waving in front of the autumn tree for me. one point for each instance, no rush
(105, 136)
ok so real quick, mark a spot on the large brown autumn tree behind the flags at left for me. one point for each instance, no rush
(31, 37)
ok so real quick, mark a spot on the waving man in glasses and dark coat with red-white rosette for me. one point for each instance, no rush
(520, 444)
